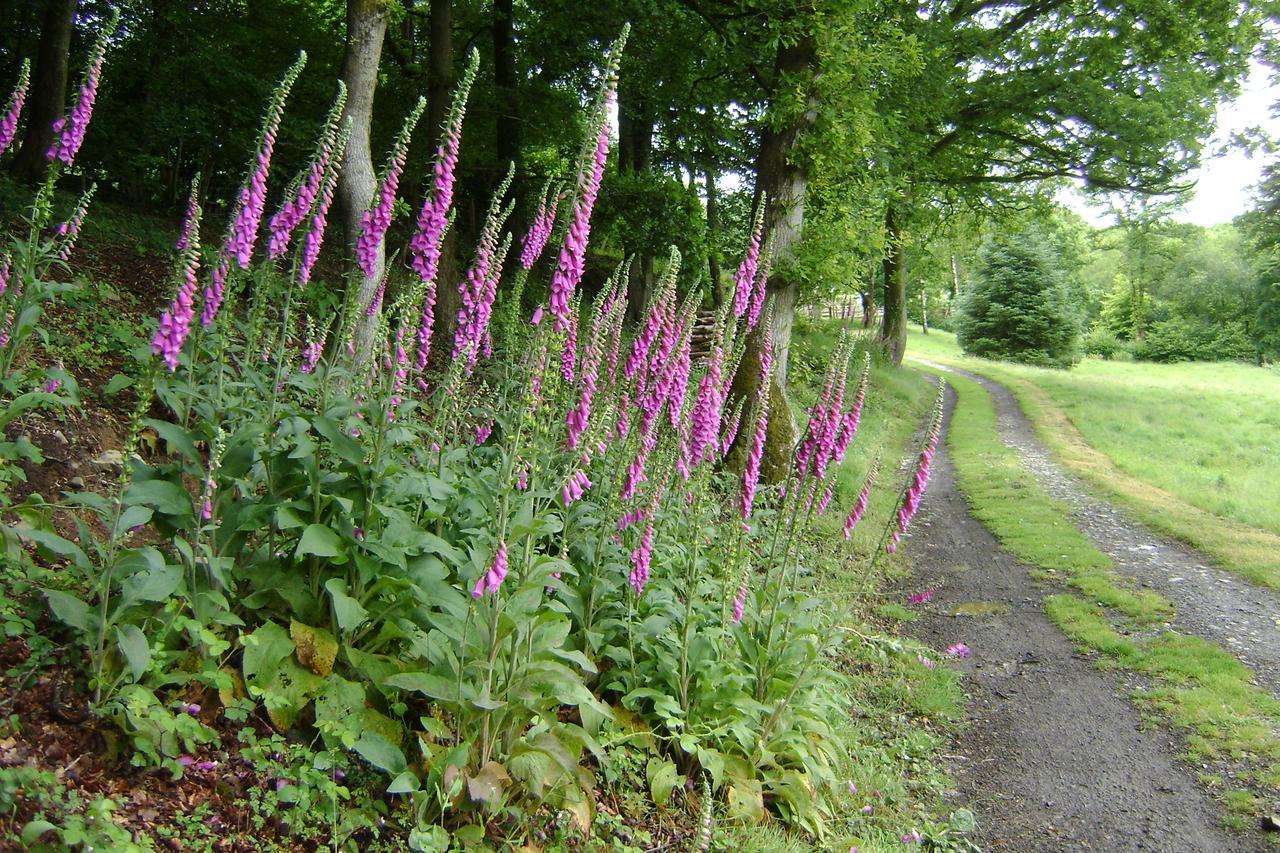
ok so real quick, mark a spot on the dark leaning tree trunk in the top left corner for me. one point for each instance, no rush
(48, 97)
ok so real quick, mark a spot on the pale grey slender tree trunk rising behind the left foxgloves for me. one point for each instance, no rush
(367, 26)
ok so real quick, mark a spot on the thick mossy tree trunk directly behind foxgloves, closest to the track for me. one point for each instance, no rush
(783, 181)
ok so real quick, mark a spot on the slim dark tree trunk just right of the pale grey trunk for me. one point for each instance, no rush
(440, 93)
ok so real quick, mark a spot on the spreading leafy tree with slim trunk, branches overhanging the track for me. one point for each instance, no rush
(1121, 95)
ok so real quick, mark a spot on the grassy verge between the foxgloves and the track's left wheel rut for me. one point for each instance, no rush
(900, 710)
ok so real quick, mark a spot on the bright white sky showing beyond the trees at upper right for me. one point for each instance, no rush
(1224, 185)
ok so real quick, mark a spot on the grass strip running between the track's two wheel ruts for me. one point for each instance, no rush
(1197, 686)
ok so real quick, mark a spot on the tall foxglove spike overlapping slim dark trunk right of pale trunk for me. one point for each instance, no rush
(433, 221)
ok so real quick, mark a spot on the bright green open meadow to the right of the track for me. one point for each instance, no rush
(1187, 449)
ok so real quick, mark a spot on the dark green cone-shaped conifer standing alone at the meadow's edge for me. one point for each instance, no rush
(1020, 308)
